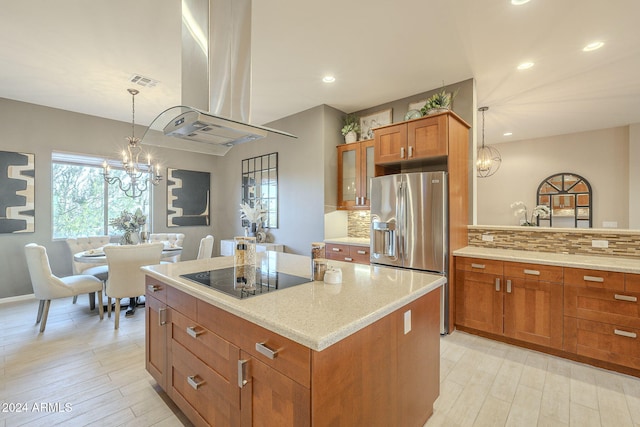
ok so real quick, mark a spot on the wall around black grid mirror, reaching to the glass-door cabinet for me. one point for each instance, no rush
(306, 171)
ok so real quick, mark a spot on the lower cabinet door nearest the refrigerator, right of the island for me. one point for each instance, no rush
(479, 301)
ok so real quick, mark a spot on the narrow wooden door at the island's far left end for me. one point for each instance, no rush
(155, 339)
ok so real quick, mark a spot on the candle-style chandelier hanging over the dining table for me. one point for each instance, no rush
(139, 174)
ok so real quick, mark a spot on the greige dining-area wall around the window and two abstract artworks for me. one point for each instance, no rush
(40, 130)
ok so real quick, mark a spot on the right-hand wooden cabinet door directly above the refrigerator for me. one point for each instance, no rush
(427, 138)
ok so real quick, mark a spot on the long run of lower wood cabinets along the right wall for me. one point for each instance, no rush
(574, 312)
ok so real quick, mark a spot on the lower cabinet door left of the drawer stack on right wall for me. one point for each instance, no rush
(533, 311)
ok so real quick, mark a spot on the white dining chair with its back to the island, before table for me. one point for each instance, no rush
(126, 279)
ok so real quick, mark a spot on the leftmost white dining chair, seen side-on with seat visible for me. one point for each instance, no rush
(47, 286)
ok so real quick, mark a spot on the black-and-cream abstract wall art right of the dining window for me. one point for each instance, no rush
(188, 197)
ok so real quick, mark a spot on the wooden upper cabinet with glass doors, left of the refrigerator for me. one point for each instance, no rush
(355, 169)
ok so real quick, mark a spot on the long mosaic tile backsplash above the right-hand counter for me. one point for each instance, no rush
(625, 243)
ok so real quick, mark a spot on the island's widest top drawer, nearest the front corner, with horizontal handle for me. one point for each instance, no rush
(290, 358)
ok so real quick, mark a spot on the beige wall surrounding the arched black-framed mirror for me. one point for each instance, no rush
(601, 157)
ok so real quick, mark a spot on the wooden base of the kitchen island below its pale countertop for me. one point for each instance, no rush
(222, 370)
